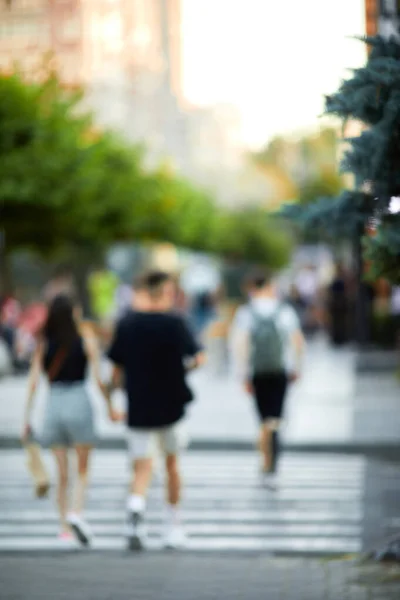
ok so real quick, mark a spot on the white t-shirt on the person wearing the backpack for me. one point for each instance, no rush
(287, 321)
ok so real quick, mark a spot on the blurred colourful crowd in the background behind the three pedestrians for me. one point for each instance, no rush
(322, 290)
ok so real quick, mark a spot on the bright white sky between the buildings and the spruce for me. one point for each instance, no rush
(273, 59)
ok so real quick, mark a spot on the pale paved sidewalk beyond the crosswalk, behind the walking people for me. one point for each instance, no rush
(327, 407)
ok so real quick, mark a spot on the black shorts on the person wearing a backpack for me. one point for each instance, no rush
(270, 392)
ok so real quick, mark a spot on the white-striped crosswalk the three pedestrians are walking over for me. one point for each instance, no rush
(316, 508)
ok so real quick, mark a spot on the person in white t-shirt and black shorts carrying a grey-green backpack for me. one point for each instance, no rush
(267, 345)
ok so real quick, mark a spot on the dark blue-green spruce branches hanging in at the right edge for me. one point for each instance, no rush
(371, 96)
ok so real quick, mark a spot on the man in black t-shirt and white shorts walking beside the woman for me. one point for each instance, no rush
(152, 351)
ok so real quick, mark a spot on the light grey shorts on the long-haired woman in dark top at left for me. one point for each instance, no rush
(68, 419)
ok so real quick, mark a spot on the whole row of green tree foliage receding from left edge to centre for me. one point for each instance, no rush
(65, 186)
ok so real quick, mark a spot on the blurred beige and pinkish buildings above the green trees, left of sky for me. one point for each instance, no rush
(128, 56)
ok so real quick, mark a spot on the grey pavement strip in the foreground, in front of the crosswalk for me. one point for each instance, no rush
(180, 577)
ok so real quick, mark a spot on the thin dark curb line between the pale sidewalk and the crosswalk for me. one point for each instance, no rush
(374, 450)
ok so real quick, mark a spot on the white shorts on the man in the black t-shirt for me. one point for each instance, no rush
(147, 443)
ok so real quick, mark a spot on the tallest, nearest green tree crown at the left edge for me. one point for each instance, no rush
(60, 183)
